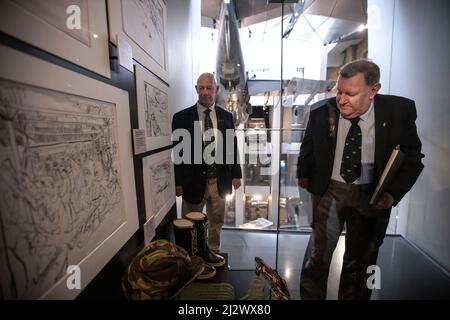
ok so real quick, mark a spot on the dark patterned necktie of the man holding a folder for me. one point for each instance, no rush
(351, 157)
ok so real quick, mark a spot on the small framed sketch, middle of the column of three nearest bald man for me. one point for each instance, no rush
(153, 111)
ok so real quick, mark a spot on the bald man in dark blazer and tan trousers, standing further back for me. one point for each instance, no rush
(205, 175)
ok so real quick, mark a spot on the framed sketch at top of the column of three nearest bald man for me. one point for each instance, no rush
(143, 24)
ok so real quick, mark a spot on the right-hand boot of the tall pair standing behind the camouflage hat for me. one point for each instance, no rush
(201, 225)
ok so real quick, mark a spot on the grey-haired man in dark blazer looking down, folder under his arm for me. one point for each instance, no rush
(383, 122)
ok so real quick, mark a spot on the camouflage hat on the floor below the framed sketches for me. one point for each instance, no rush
(160, 271)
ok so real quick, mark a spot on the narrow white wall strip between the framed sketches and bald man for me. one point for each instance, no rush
(183, 24)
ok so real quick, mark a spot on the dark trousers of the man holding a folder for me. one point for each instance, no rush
(364, 235)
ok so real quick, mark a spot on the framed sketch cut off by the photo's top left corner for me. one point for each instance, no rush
(75, 30)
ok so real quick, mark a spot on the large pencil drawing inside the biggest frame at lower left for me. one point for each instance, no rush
(59, 166)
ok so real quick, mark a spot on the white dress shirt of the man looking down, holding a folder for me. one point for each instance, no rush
(367, 125)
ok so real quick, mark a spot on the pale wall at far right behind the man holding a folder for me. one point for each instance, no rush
(419, 69)
